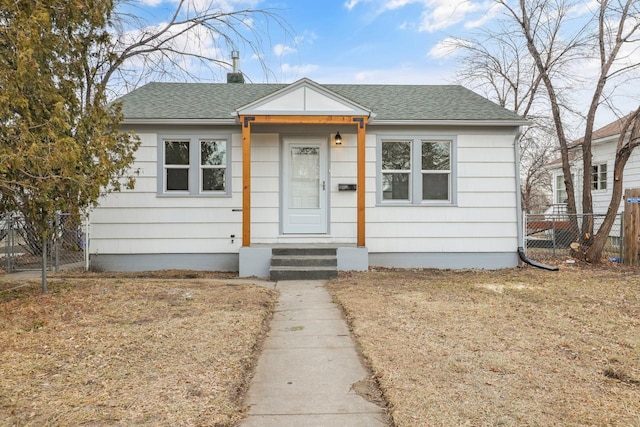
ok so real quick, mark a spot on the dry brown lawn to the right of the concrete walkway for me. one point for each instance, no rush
(520, 347)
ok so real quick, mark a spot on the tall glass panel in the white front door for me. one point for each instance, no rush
(304, 189)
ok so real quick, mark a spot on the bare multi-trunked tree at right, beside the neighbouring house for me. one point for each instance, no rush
(559, 47)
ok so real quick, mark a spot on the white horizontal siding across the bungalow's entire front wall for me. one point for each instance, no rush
(480, 217)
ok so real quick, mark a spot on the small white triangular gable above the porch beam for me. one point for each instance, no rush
(304, 97)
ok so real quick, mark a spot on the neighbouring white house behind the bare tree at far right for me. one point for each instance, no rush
(603, 150)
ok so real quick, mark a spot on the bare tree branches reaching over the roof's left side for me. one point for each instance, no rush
(190, 44)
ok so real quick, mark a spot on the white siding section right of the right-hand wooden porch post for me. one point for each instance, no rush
(482, 217)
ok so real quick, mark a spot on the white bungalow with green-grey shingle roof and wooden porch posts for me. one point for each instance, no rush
(386, 175)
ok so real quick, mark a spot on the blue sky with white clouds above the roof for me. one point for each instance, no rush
(361, 41)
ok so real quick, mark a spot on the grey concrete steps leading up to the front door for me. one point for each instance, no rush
(303, 264)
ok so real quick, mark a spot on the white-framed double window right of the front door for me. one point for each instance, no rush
(416, 170)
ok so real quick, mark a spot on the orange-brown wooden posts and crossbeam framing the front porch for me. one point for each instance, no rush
(246, 121)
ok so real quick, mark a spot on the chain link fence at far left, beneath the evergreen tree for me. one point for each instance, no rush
(21, 247)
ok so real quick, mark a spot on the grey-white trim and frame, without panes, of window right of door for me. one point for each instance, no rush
(416, 172)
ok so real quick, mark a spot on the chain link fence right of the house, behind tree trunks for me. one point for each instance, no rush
(549, 236)
